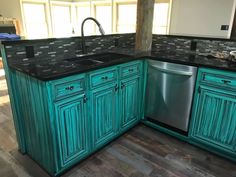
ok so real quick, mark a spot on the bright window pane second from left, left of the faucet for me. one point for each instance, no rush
(62, 26)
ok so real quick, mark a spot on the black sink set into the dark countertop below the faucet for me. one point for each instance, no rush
(95, 59)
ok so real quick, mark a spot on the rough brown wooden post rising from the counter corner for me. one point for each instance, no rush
(144, 25)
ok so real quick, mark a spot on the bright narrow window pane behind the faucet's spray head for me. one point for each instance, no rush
(104, 16)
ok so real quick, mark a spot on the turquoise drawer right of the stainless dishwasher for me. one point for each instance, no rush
(220, 78)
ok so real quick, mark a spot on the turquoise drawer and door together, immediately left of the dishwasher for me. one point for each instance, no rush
(131, 94)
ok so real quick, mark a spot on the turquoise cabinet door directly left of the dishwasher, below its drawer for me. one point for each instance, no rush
(130, 101)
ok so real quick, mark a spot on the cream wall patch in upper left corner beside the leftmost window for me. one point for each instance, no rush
(11, 9)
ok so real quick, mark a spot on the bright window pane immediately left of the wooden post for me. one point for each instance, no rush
(126, 23)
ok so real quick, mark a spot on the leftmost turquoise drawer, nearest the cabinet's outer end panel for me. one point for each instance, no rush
(67, 88)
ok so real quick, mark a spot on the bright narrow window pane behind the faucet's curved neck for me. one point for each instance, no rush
(82, 13)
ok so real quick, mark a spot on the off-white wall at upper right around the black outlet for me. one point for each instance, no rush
(201, 17)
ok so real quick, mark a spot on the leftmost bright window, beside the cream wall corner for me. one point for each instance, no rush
(35, 20)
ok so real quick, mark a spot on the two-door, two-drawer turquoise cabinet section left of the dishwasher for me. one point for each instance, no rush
(116, 97)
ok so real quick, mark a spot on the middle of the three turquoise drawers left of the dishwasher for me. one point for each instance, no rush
(104, 76)
